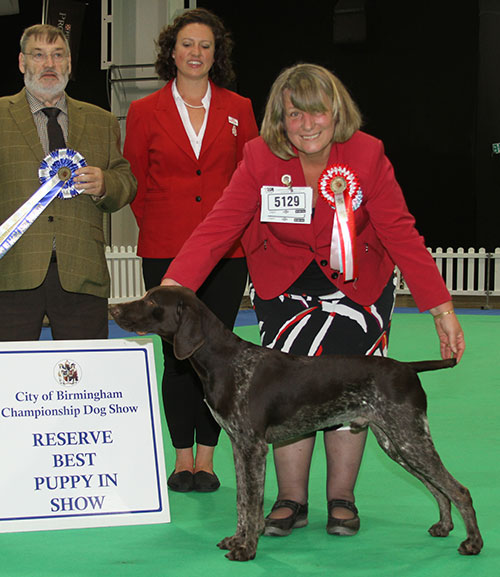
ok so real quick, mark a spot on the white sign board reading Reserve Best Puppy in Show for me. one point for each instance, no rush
(81, 442)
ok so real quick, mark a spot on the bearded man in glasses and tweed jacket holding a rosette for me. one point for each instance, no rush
(57, 268)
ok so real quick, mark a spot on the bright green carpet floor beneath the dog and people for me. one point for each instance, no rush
(395, 509)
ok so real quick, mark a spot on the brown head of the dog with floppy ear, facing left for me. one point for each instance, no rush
(173, 313)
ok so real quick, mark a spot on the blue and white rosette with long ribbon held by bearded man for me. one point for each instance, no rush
(56, 173)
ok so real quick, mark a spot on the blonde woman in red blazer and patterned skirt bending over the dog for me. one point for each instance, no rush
(323, 222)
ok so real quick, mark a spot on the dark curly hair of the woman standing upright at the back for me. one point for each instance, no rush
(222, 72)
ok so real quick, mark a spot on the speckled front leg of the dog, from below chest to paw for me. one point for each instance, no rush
(250, 464)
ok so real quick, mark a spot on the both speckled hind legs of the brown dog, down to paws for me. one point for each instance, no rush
(410, 445)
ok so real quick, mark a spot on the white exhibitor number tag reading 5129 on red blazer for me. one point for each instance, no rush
(286, 204)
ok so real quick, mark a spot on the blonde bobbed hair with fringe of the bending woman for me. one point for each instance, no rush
(312, 88)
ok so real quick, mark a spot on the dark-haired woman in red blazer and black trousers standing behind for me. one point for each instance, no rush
(183, 143)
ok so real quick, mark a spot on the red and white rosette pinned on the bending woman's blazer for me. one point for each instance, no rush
(339, 186)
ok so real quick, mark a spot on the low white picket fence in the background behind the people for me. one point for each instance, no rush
(474, 272)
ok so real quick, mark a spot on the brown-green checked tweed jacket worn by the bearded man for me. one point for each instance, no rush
(76, 224)
